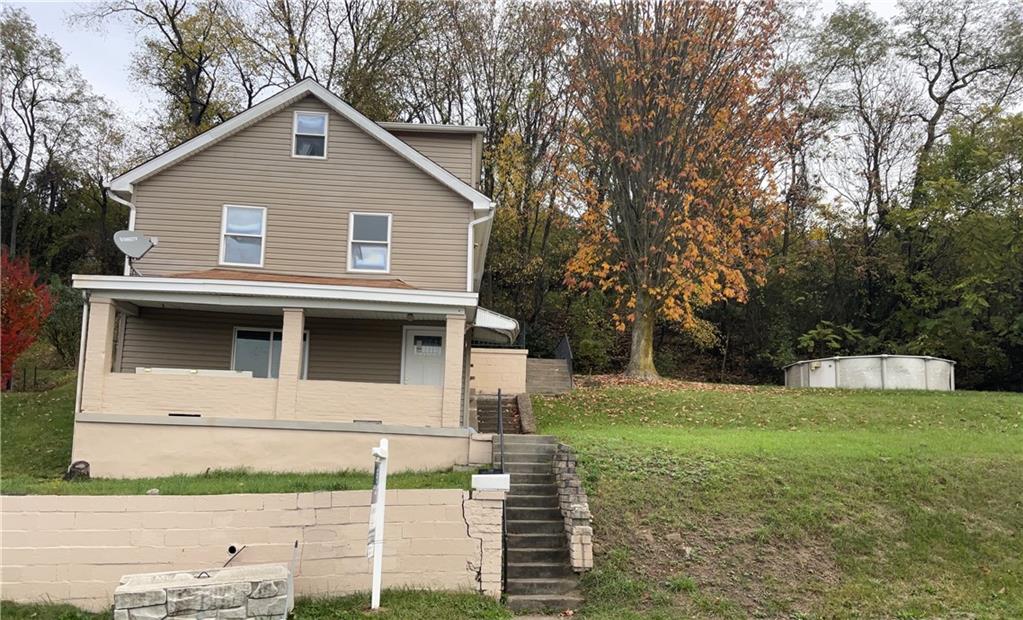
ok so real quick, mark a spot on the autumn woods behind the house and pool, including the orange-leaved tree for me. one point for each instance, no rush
(752, 184)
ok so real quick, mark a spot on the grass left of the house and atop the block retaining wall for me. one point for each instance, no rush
(35, 451)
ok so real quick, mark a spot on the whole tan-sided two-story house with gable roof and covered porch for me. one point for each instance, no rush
(314, 288)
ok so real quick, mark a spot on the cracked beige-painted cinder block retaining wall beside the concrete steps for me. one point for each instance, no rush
(76, 549)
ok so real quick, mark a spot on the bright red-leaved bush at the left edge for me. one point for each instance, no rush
(24, 306)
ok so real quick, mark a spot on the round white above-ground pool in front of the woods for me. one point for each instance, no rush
(874, 373)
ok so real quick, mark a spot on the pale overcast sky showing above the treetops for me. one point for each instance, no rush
(104, 56)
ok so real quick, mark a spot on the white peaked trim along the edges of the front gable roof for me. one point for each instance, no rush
(124, 183)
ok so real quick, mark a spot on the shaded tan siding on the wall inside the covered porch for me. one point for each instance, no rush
(355, 350)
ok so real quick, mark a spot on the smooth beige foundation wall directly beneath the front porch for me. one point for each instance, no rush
(140, 451)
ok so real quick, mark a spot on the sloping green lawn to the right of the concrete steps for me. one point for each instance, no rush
(735, 502)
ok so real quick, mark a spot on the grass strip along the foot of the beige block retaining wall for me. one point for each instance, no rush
(395, 605)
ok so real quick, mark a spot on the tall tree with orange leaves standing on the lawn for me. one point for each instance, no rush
(679, 131)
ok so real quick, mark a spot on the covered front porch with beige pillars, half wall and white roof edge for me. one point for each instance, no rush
(174, 348)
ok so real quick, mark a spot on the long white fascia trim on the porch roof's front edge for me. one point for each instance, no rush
(247, 295)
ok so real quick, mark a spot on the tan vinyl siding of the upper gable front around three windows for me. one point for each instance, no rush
(308, 203)
